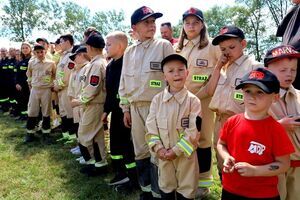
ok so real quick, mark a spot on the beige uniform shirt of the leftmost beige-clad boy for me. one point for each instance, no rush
(40, 74)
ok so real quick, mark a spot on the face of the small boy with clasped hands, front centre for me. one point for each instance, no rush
(175, 73)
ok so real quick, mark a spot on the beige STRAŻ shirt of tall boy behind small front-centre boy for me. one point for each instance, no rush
(141, 76)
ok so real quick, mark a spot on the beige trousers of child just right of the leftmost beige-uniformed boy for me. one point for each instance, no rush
(65, 109)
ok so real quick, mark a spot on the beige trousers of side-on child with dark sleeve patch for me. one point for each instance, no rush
(91, 128)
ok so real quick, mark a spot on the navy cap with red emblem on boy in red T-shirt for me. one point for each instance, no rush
(262, 78)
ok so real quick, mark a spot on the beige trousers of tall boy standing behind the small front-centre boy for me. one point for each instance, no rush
(139, 112)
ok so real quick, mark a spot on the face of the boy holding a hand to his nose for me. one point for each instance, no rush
(232, 48)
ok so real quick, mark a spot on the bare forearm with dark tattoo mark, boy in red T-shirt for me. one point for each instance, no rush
(280, 165)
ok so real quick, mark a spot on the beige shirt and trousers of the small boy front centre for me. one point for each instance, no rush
(171, 123)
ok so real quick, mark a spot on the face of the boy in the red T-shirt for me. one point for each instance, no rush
(256, 100)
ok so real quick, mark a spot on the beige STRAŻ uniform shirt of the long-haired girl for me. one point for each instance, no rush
(201, 63)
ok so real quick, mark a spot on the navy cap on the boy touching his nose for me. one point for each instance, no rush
(228, 32)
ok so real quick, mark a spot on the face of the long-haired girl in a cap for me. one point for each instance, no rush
(192, 27)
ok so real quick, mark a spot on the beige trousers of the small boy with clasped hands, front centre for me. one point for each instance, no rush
(180, 174)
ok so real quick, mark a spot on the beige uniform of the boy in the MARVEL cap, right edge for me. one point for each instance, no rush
(289, 105)
